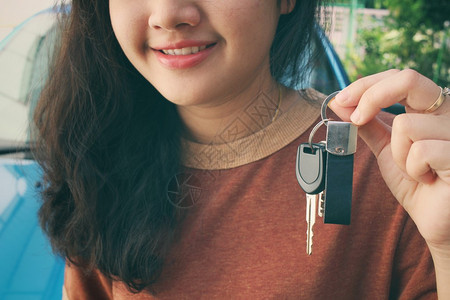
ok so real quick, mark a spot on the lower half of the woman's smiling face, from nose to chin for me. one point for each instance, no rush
(196, 51)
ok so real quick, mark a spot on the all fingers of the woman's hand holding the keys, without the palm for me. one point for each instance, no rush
(412, 133)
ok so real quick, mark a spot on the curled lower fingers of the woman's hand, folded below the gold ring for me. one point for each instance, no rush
(412, 134)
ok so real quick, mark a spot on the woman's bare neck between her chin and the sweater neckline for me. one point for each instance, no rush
(238, 116)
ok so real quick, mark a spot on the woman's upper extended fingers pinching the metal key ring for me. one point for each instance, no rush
(373, 93)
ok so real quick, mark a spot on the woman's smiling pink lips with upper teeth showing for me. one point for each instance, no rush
(183, 55)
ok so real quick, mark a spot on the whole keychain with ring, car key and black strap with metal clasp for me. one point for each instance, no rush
(325, 172)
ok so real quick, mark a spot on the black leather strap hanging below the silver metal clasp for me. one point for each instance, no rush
(338, 189)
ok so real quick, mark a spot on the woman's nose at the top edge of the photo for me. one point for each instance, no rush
(172, 15)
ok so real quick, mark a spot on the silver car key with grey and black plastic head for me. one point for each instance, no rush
(310, 171)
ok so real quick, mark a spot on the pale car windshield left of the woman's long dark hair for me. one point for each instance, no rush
(24, 57)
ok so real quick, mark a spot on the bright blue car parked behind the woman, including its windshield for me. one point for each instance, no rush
(28, 269)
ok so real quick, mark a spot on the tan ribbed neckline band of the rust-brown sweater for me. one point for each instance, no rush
(289, 125)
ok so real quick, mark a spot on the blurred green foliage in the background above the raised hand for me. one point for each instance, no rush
(413, 36)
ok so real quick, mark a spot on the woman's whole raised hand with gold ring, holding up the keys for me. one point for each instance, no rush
(413, 155)
